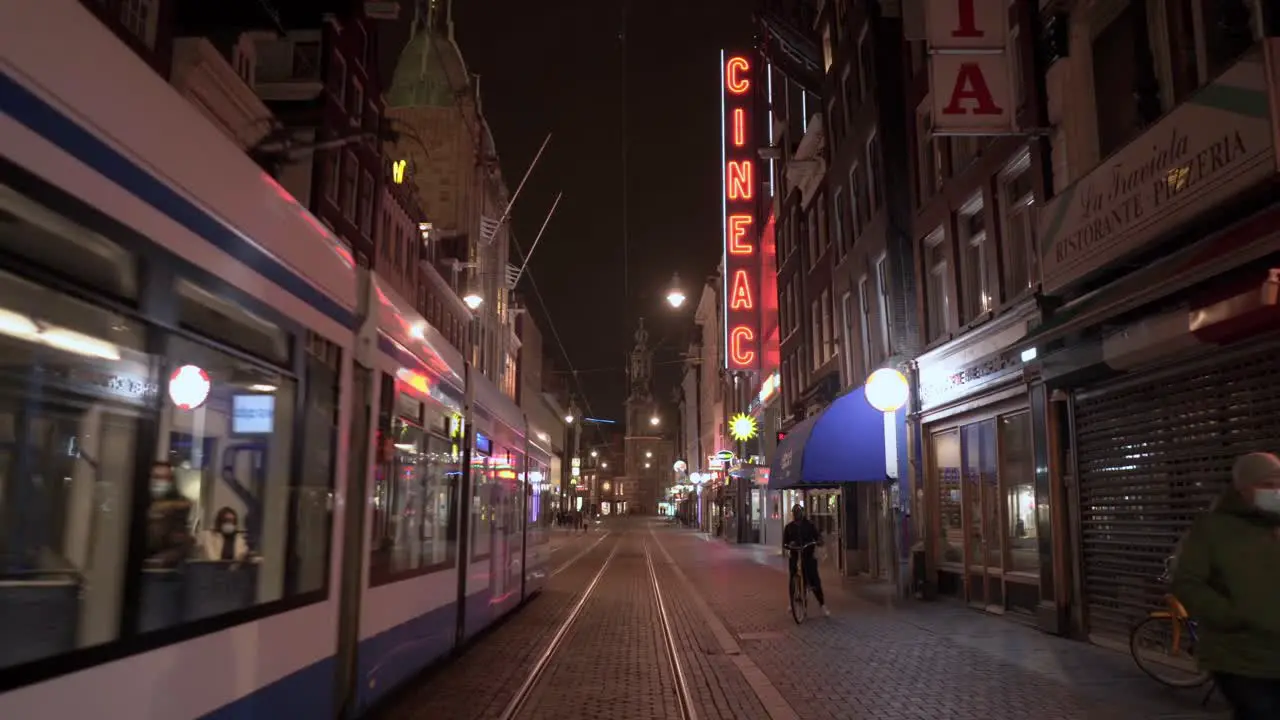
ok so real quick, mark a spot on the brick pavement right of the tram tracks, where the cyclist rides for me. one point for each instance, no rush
(924, 660)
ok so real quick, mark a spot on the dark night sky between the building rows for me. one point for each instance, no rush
(557, 67)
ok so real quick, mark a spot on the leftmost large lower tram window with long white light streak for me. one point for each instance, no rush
(74, 388)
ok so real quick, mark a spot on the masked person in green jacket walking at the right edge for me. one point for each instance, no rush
(1228, 576)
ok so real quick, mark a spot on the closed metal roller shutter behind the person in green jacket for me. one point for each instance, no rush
(1154, 452)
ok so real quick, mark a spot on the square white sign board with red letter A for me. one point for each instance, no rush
(973, 94)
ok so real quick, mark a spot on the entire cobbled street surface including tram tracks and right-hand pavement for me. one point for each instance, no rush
(743, 657)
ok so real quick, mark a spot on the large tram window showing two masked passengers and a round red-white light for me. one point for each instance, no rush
(223, 496)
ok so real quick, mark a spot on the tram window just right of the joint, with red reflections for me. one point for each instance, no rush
(415, 504)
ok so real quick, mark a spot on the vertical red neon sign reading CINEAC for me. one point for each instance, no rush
(739, 183)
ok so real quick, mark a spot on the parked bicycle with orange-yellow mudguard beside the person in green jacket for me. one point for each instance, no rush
(1174, 634)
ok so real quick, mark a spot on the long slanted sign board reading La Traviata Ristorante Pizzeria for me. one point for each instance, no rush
(1213, 147)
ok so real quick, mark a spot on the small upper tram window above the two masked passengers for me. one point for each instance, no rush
(228, 322)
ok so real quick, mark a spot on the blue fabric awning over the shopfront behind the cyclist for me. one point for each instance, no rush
(844, 444)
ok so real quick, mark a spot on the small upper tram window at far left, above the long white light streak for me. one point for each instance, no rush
(56, 243)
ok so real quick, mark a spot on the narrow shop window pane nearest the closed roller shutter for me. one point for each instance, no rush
(1018, 479)
